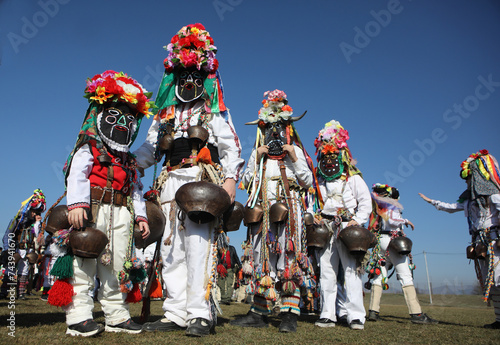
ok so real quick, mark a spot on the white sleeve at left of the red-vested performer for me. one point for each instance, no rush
(78, 183)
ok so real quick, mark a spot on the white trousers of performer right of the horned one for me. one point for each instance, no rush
(331, 256)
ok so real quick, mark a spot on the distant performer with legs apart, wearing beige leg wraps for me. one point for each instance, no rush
(387, 223)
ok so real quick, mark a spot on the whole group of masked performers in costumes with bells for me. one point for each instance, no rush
(313, 230)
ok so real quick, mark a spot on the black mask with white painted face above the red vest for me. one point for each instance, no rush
(117, 125)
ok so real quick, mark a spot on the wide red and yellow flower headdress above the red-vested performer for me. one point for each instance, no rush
(112, 86)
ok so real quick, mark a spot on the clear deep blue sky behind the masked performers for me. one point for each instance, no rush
(416, 84)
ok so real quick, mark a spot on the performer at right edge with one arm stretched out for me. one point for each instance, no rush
(481, 205)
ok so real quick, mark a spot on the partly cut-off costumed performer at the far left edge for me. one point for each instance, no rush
(20, 238)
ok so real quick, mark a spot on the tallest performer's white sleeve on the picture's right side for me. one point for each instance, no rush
(228, 146)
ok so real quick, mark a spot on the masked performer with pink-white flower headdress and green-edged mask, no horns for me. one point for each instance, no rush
(342, 200)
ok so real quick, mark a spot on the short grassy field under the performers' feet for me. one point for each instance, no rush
(461, 319)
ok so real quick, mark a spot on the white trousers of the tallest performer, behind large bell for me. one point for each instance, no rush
(187, 261)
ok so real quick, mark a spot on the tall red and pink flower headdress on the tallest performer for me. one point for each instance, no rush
(192, 46)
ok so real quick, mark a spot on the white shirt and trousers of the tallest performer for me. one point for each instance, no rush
(187, 262)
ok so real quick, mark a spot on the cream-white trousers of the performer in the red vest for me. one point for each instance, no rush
(112, 300)
